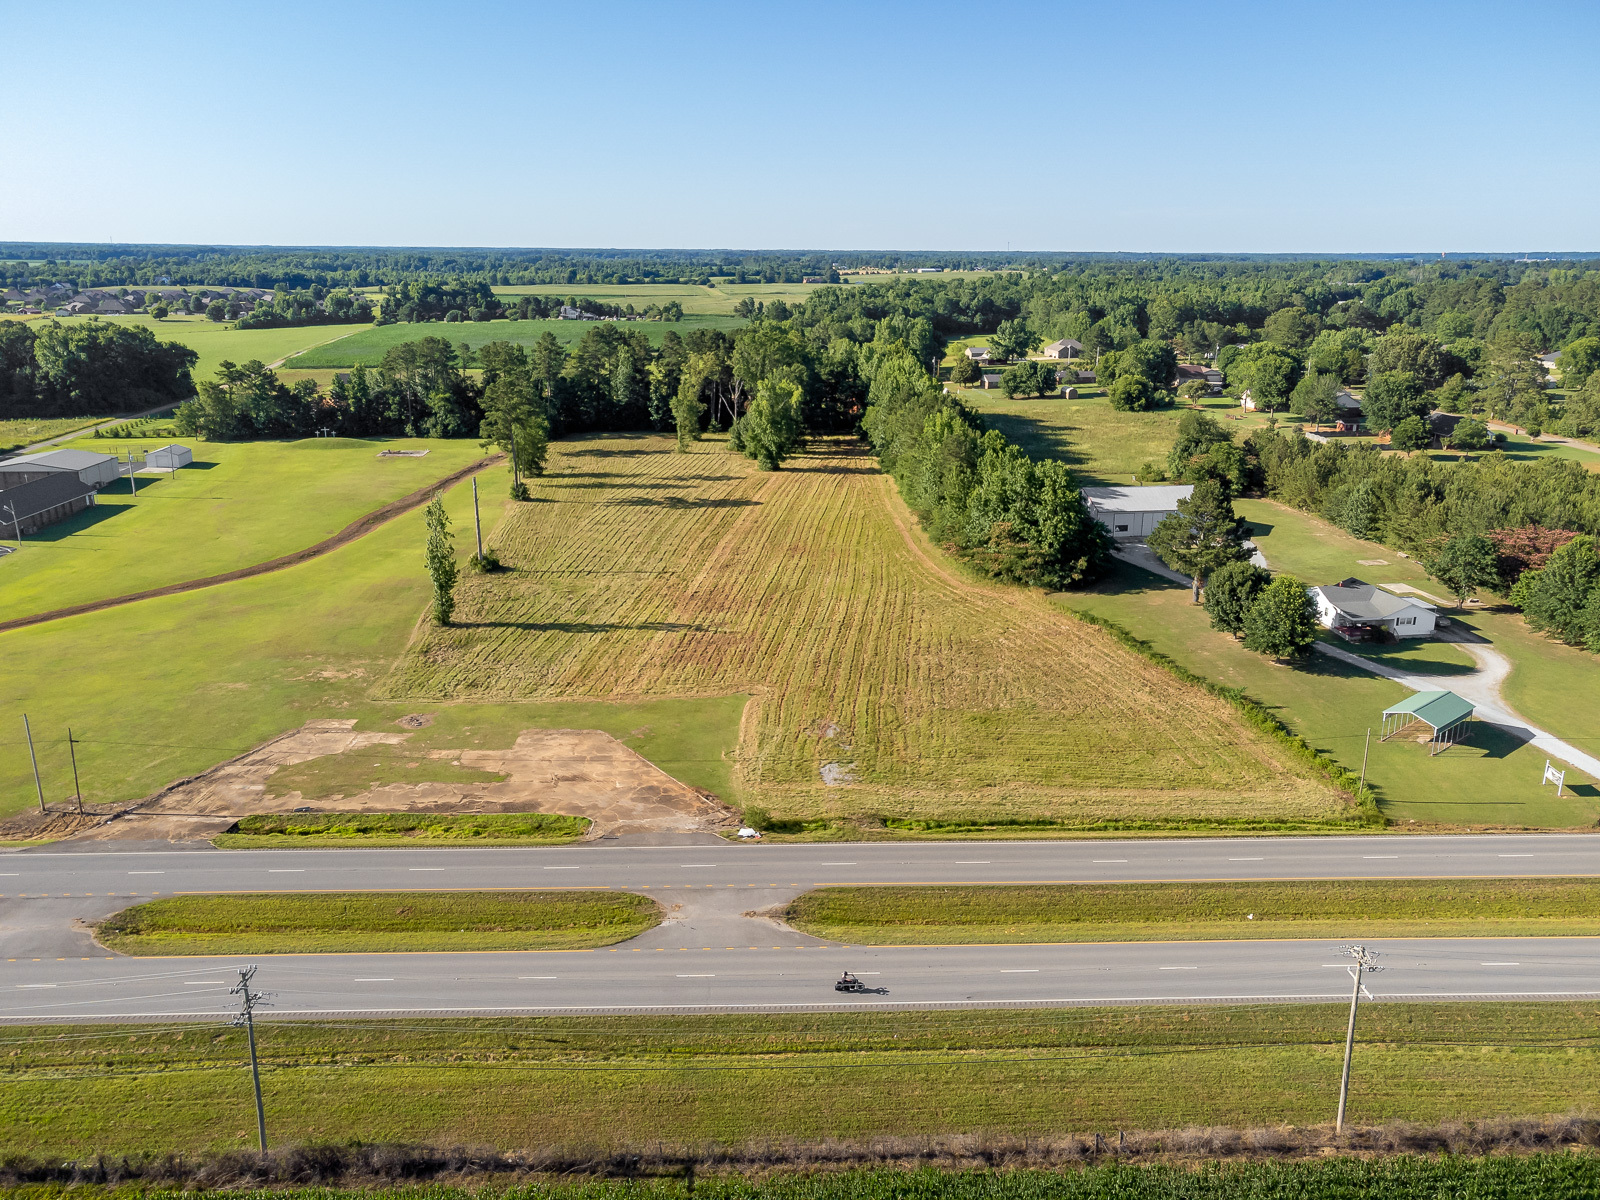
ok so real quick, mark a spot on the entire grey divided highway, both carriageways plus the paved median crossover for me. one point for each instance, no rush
(716, 953)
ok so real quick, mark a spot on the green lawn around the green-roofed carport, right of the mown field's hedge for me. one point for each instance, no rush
(1489, 782)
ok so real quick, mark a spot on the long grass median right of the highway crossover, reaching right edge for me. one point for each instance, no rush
(1102, 913)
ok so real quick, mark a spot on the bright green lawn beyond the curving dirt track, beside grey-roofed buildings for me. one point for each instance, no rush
(238, 505)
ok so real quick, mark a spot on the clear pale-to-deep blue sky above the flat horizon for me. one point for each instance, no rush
(1143, 127)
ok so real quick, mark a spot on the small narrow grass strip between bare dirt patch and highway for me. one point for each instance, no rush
(287, 831)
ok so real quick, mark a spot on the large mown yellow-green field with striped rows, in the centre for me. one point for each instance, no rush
(641, 572)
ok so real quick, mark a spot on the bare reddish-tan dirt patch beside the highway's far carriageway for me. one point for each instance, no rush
(572, 772)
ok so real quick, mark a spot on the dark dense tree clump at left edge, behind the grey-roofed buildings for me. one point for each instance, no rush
(89, 369)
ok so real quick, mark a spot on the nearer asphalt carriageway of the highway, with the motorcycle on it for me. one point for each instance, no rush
(788, 978)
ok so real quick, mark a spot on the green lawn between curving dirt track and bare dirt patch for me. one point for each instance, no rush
(170, 687)
